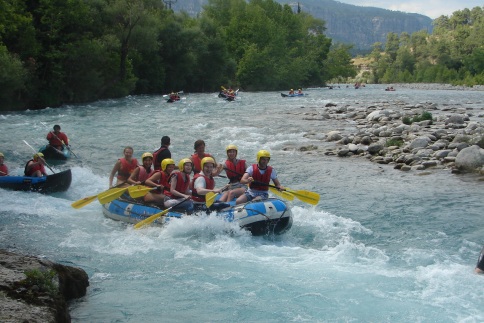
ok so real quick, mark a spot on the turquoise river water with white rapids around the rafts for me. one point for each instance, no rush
(381, 246)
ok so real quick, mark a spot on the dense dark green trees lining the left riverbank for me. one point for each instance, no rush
(55, 52)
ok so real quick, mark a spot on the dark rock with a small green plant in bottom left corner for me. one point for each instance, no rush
(37, 290)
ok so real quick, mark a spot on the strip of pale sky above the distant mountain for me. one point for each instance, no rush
(430, 8)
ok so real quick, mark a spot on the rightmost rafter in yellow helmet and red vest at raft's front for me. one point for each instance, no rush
(258, 176)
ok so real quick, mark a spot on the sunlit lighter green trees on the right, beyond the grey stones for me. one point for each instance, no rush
(453, 53)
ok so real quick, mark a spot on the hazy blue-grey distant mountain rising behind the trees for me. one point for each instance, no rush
(348, 24)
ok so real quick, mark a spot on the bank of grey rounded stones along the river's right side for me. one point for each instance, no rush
(415, 137)
